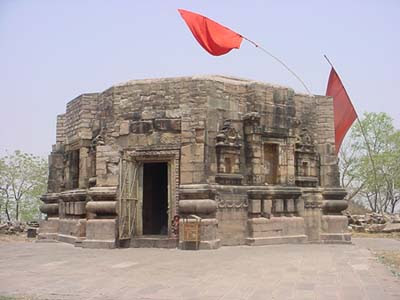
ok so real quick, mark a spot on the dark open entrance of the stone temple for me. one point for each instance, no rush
(155, 198)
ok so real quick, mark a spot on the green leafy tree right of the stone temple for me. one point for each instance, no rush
(371, 172)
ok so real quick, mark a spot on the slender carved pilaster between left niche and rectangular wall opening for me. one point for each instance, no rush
(253, 148)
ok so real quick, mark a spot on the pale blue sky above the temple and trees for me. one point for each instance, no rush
(53, 51)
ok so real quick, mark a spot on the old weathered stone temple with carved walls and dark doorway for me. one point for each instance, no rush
(212, 159)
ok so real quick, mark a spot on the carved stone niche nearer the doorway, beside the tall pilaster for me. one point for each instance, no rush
(228, 155)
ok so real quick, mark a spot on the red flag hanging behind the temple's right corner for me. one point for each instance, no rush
(344, 112)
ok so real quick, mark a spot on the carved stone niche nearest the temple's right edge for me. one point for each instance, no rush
(306, 160)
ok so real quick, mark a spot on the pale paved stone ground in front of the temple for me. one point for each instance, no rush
(309, 271)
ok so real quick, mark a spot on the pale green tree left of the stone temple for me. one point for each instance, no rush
(23, 179)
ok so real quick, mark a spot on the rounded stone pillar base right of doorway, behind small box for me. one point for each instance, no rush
(199, 200)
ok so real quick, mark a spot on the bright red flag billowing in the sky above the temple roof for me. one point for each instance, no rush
(213, 37)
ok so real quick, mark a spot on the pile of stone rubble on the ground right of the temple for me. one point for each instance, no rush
(374, 222)
